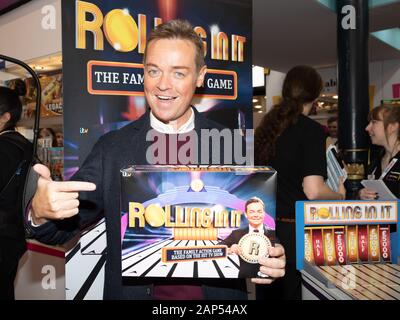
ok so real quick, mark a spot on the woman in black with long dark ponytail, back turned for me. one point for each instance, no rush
(294, 145)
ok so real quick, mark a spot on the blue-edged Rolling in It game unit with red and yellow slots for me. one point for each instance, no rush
(348, 249)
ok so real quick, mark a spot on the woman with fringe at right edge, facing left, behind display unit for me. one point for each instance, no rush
(384, 130)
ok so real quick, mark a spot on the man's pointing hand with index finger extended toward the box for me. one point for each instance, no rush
(56, 200)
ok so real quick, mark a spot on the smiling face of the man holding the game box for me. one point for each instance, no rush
(170, 79)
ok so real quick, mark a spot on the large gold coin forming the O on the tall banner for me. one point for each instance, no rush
(121, 30)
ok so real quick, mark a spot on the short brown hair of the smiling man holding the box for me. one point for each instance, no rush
(178, 29)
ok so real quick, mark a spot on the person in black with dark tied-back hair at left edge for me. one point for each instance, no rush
(15, 157)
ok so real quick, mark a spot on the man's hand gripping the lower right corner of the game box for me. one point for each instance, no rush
(273, 266)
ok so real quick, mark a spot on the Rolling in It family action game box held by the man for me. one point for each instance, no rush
(194, 222)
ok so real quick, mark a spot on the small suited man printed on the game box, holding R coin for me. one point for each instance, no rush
(254, 212)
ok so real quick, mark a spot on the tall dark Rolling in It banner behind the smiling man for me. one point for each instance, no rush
(103, 46)
